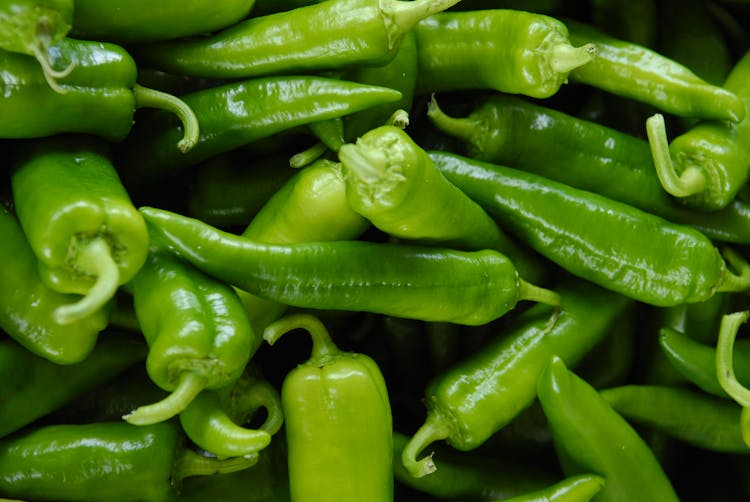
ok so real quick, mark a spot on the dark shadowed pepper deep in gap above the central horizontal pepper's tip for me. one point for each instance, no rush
(230, 189)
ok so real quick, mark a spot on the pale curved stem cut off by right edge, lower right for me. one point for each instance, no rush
(730, 325)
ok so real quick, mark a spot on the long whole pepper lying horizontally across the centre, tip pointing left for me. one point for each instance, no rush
(416, 282)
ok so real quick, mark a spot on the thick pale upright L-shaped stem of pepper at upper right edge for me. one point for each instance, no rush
(691, 181)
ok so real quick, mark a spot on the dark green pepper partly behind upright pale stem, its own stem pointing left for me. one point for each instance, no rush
(509, 131)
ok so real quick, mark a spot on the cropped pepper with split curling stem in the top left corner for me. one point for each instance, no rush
(32, 26)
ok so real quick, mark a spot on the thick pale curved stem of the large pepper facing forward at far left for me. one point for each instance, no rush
(94, 258)
